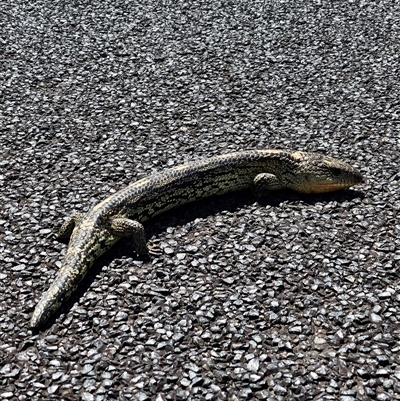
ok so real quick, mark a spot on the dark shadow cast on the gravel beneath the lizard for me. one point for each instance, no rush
(187, 213)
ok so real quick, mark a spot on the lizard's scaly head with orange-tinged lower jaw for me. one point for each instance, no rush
(316, 173)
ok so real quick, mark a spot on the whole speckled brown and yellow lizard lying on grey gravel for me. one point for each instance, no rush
(121, 214)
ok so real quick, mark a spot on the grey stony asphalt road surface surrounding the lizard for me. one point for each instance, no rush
(295, 297)
